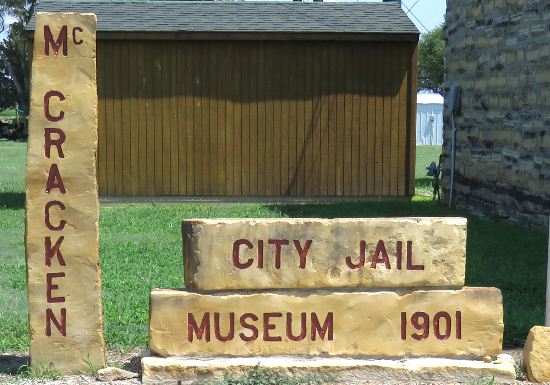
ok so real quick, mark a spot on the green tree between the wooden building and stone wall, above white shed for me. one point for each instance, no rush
(430, 64)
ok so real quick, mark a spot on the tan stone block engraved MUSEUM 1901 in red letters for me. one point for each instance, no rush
(465, 322)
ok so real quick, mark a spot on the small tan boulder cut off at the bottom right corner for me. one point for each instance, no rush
(536, 354)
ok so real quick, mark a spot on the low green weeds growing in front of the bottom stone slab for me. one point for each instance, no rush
(263, 376)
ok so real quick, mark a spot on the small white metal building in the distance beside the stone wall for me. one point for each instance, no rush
(429, 119)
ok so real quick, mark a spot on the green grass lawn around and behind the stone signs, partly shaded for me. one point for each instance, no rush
(140, 248)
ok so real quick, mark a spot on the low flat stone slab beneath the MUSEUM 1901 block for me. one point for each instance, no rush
(349, 371)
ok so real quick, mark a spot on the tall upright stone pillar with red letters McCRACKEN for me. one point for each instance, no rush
(62, 210)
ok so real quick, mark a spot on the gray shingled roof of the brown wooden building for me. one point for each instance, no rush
(243, 17)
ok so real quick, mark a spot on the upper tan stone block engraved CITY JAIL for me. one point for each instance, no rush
(438, 244)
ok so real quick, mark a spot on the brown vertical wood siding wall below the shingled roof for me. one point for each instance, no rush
(256, 118)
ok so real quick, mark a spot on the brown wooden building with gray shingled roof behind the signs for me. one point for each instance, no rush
(252, 98)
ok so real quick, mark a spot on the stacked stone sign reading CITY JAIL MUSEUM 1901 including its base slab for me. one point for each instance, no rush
(360, 298)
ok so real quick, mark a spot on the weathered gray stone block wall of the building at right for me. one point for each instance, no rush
(498, 51)
